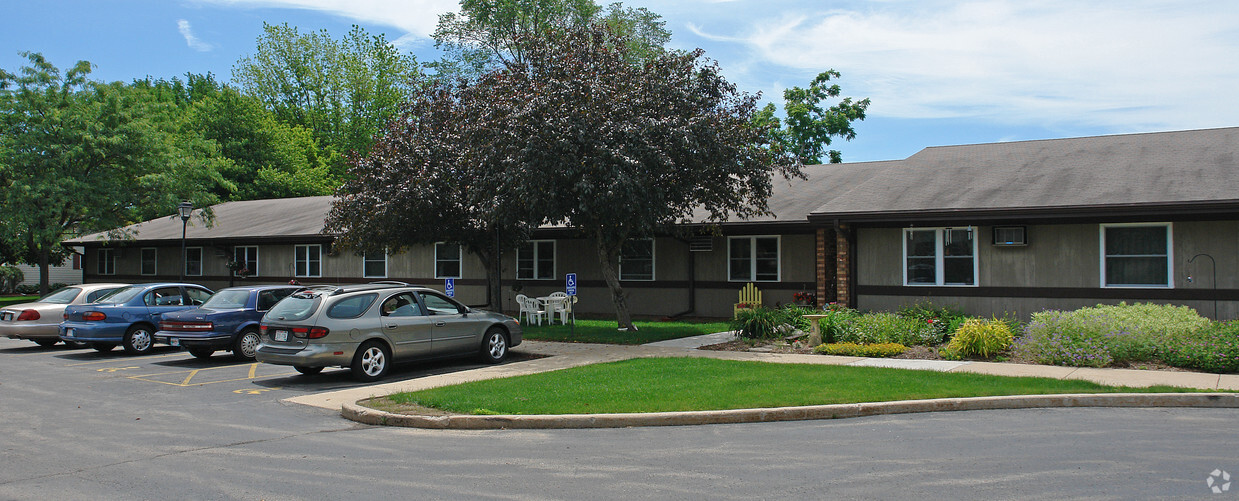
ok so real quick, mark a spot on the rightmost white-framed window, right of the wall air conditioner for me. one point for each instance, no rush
(1137, 255)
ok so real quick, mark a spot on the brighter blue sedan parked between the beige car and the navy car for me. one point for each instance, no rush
(128, 317)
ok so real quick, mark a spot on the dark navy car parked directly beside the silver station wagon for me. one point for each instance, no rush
(227, 322)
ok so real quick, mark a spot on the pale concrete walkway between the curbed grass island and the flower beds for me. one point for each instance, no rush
(563, 355)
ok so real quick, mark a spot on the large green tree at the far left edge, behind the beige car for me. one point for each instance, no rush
(84, 157)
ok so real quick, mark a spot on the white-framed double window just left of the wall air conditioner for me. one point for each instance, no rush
(940, 257)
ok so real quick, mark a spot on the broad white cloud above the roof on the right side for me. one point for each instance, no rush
(1133, 65)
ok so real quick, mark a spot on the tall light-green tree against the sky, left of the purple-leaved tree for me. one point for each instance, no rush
(344, 91)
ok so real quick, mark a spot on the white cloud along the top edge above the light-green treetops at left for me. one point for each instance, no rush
(414, 17)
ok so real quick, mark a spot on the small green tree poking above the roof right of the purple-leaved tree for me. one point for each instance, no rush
(808, 130)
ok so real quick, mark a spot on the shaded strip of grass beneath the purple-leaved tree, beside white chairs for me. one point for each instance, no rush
(605, 332)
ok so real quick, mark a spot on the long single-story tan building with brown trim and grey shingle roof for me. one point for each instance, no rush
(1005, 228)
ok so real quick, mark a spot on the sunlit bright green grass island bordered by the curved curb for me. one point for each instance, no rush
(668, 385)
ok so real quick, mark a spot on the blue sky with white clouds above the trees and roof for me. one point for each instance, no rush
(939, 73)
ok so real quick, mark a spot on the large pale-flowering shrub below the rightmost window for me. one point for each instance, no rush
(1107, 334)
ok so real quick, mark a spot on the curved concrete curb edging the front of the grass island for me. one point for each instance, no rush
(369, 416)
